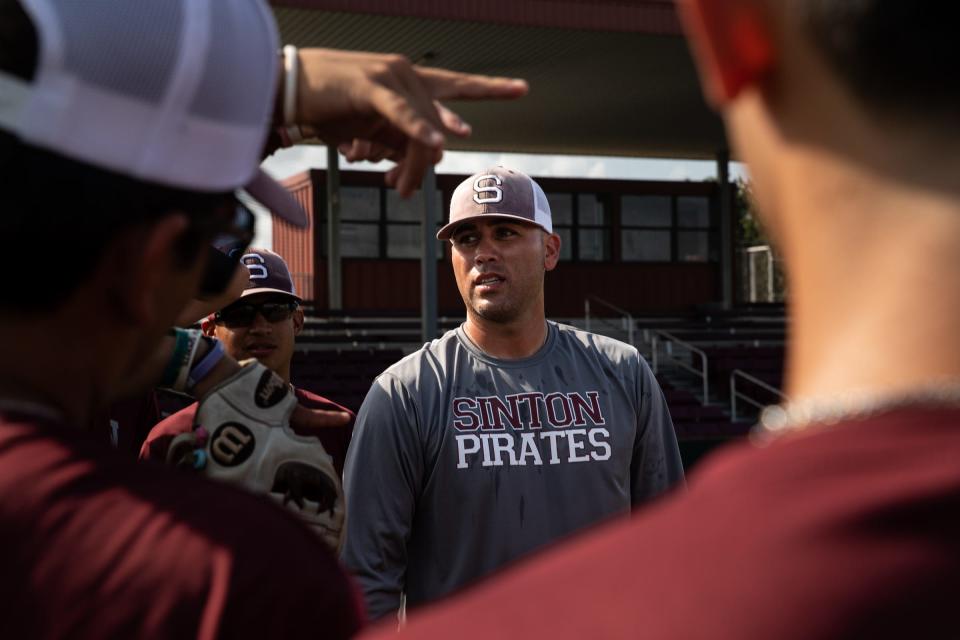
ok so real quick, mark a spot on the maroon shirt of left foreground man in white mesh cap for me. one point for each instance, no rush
(94, 544)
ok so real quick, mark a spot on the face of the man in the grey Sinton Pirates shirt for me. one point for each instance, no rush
(499, 265)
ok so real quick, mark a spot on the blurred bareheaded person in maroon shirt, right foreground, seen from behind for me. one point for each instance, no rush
(842, 518)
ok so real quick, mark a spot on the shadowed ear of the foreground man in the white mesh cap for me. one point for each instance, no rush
(141, 266)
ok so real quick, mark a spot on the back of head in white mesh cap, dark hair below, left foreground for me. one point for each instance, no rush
(116, 113)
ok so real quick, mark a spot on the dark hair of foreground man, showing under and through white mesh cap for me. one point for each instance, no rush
(65, 212)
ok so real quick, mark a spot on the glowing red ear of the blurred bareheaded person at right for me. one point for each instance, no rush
(733, 45)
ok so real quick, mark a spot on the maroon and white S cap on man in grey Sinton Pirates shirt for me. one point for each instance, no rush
(500, 192)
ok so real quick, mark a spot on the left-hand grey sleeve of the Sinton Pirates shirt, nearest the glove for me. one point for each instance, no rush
(382, 481)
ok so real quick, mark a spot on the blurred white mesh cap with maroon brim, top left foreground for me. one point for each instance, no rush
(174, 92)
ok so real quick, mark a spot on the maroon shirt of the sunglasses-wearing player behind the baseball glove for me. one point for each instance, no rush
(334, 439)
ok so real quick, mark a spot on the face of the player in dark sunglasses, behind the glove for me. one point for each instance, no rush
(269, 342)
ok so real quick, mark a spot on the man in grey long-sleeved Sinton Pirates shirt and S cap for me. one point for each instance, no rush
(505, 434)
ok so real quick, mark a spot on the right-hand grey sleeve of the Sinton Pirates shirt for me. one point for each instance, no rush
(656, 464)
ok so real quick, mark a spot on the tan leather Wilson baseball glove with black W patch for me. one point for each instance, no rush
(242, 436)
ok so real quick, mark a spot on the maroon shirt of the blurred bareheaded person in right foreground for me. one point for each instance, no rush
(848, 532)
